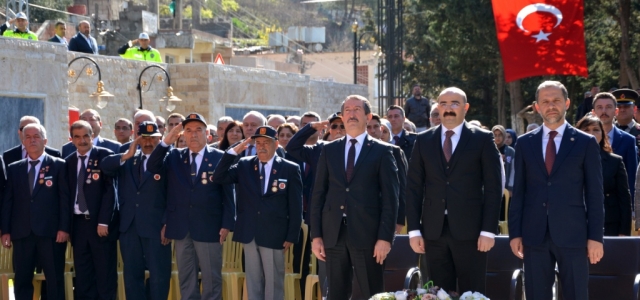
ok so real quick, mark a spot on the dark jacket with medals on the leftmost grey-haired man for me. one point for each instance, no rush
(46, 211)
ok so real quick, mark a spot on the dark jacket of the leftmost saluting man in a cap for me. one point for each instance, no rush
(142, 201)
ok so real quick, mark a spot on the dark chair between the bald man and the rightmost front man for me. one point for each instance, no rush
(504, 271)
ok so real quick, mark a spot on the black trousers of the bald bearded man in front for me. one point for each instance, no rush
(456, 265)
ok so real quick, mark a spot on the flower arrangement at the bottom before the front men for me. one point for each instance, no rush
(429, 292)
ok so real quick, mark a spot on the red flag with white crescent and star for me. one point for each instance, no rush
(541, 37)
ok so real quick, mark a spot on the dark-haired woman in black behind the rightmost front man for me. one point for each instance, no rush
(617, 198)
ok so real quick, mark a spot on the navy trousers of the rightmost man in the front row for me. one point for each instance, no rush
(539, 267)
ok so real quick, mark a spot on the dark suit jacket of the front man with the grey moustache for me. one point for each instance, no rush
(370, 200)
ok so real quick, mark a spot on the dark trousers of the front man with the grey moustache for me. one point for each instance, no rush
(345, 260)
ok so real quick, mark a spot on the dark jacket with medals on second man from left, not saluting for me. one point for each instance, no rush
(99, 191)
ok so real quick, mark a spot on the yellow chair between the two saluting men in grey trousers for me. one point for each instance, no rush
(232, 274)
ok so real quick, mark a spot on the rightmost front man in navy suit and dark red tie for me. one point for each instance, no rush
(556, 210)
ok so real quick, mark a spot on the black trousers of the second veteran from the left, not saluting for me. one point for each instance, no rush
(94, 261)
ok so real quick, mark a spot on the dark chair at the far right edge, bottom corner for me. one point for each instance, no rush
(617, 275)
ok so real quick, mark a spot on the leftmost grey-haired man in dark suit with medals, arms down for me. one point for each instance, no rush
(35, 216)
